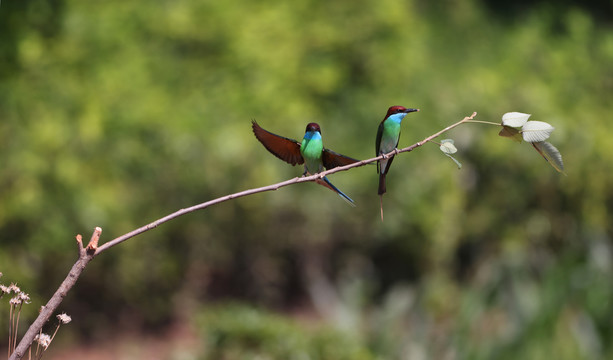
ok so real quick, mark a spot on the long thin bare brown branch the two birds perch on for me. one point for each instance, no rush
(88, 253)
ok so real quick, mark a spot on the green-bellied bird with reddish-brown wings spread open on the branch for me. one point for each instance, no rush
(310, 152)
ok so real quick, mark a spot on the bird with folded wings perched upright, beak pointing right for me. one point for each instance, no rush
(388, 136)
